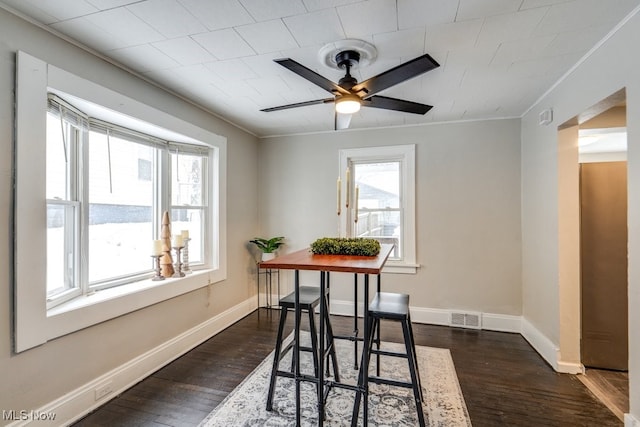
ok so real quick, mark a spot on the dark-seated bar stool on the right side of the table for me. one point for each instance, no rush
(391, 306)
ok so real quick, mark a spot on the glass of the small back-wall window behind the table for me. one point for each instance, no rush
(379, 214)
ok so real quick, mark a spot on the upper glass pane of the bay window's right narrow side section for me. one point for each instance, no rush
(186, 179)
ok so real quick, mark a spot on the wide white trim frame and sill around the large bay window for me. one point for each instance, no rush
(34, 325)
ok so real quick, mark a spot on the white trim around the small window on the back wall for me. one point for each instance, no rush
(406, 155)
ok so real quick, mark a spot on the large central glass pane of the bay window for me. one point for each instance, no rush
(120, 209)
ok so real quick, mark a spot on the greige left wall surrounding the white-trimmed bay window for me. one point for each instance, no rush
(41, 375)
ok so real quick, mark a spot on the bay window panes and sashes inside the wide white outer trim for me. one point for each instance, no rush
(105, 196)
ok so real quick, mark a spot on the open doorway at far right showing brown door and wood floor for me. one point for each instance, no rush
(603, 257)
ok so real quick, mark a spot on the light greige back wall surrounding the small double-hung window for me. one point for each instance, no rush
(468, 207)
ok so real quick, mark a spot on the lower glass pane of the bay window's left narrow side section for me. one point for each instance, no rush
(61, 240)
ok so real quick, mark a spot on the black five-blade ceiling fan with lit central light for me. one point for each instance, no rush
(349, 95)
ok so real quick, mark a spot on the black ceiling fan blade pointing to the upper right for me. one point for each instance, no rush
(393, 76)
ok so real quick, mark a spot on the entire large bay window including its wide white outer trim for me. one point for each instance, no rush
(94, 172)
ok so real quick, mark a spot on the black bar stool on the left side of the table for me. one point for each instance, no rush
(309, 299)
